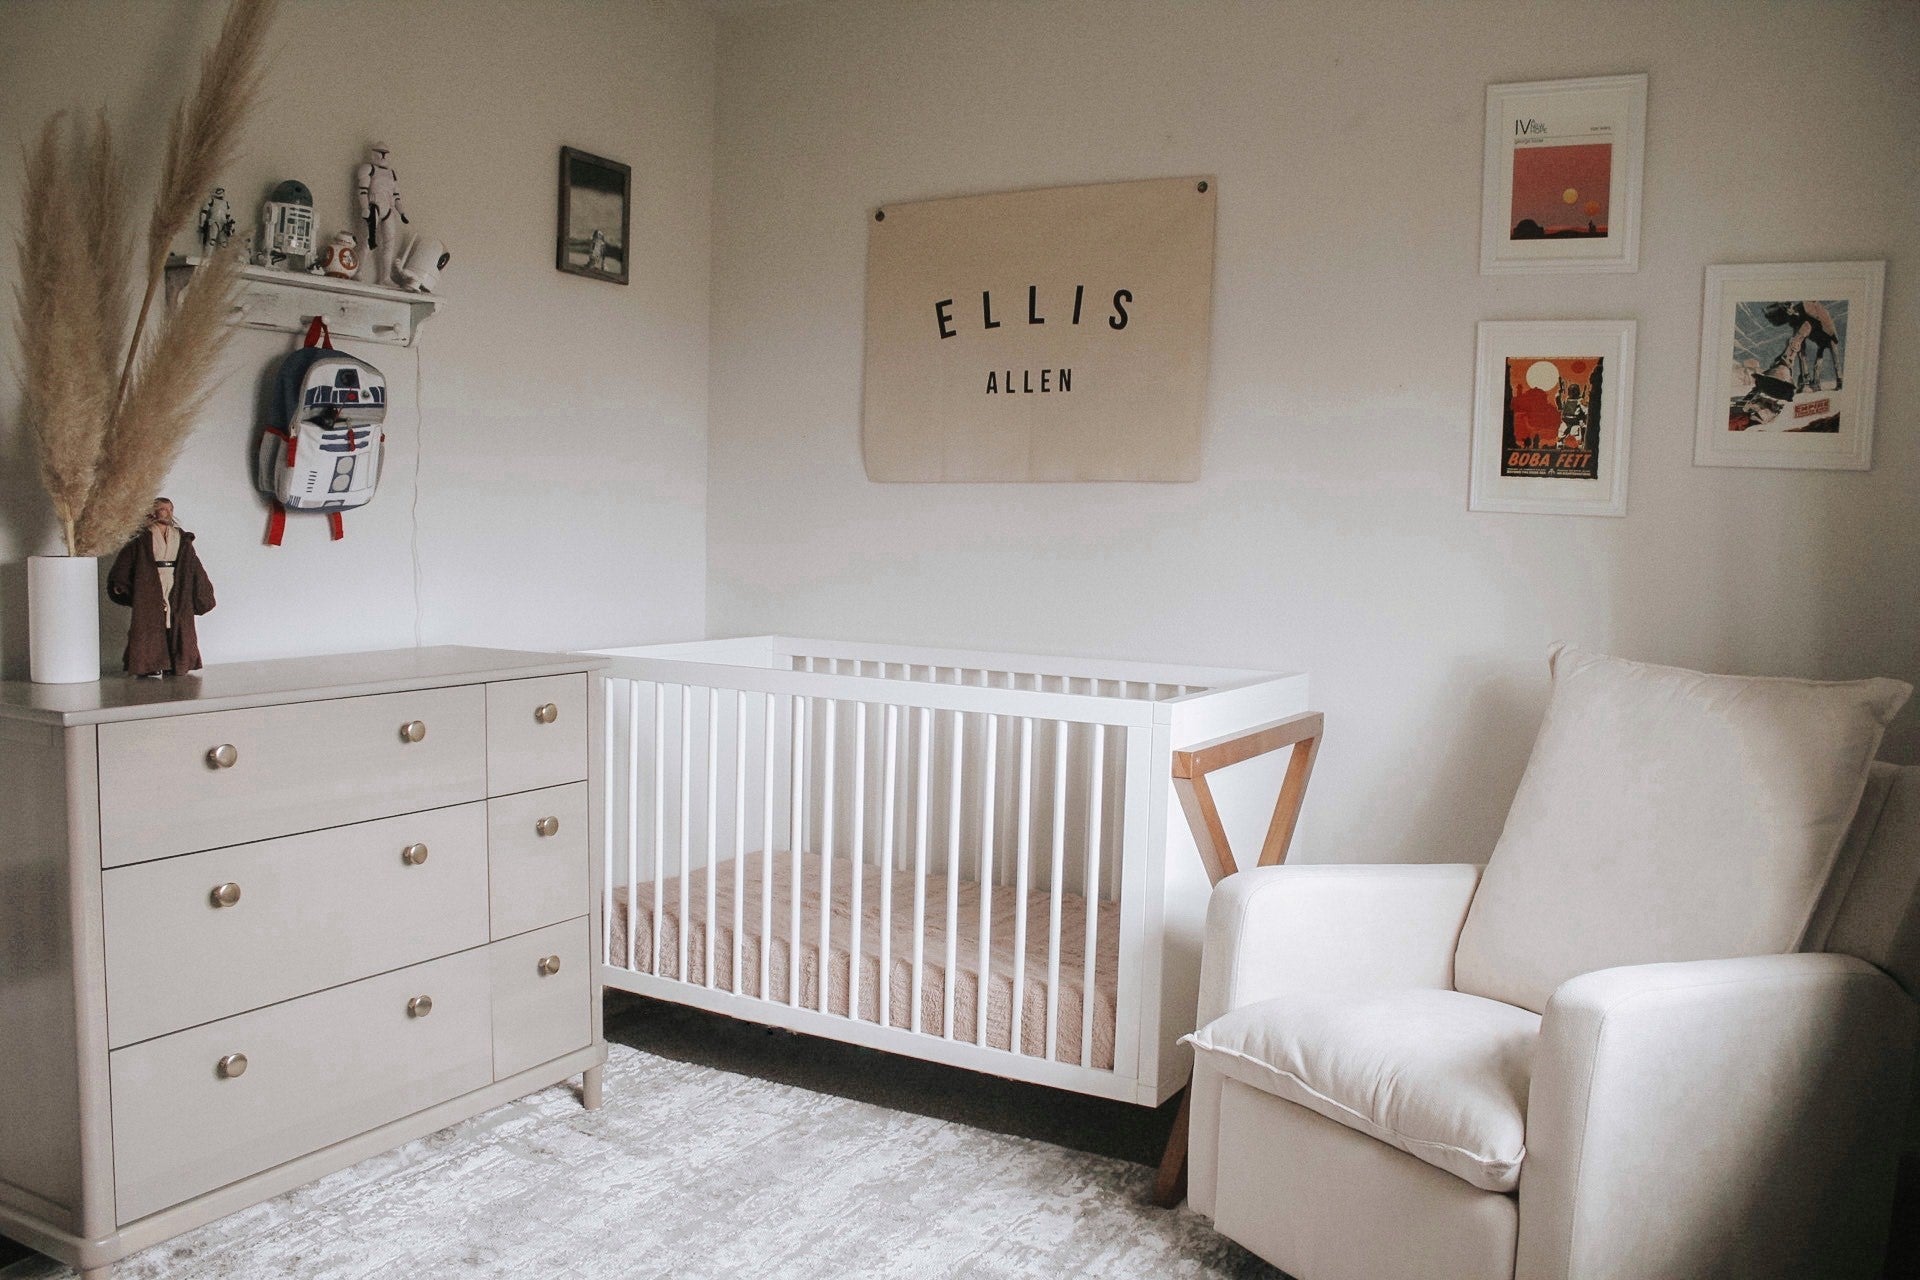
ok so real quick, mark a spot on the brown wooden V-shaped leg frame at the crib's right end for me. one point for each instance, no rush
(1191, 770)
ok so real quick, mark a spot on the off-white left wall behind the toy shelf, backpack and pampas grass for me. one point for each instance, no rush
(560, 423)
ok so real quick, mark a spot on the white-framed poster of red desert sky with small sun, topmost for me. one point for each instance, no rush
(1562, 176)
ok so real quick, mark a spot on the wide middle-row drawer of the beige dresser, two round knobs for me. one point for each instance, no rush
(312, 911)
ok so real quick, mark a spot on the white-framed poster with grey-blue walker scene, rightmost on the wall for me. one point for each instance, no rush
(1788, 360)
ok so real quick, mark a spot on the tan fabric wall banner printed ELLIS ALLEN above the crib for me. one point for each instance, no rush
(1040, 337)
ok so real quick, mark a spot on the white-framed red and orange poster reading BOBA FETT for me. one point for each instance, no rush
(1552, 414)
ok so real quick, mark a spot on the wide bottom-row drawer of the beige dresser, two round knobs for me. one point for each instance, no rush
(318, 1070)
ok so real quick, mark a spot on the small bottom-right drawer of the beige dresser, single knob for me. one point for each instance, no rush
(542, 997)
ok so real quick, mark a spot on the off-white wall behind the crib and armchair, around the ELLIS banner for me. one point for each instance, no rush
(1332, 531)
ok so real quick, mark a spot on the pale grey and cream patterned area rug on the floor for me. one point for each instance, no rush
(694, 1173)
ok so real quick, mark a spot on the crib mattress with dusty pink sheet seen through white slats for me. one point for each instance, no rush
(972, 997)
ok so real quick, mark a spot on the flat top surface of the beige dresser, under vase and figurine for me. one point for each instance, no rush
(279, 680)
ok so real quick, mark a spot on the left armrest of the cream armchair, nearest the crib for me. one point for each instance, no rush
(1332, 928)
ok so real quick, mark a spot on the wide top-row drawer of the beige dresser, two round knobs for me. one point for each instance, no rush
(289, 769)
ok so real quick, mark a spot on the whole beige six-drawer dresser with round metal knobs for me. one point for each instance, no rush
(272, 920)
